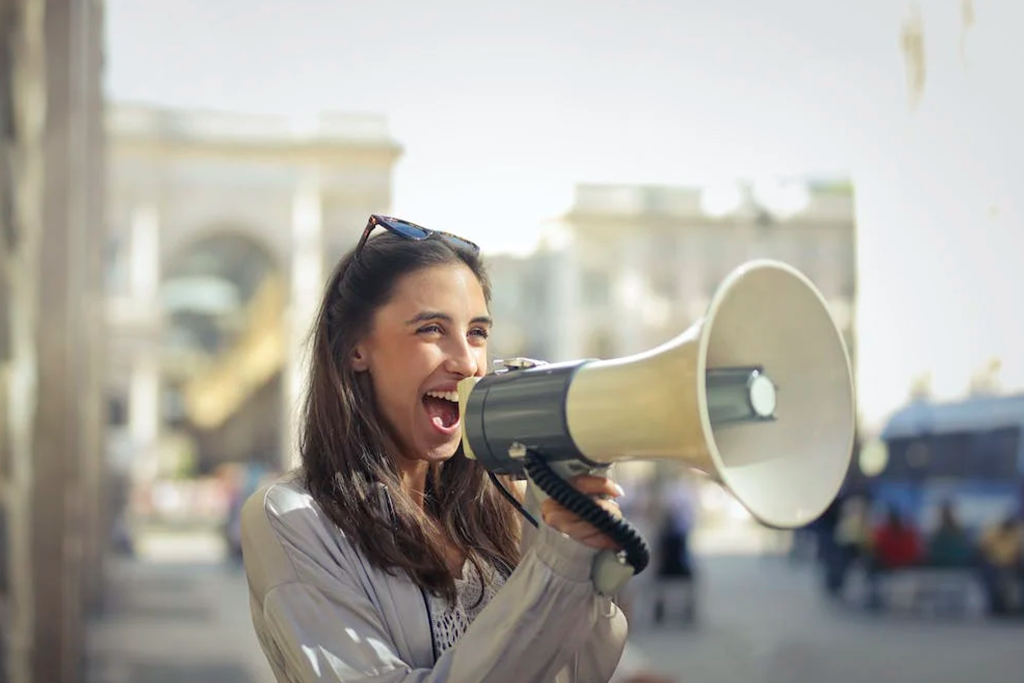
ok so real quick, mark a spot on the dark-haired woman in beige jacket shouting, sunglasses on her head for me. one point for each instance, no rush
(390, 557)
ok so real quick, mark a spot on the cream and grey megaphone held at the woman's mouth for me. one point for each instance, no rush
(758, 396)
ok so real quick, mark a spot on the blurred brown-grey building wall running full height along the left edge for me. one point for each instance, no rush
(52, 226)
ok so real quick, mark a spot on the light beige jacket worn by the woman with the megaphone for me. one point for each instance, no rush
(323, 613)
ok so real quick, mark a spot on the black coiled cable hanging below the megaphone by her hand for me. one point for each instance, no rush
(637, 552)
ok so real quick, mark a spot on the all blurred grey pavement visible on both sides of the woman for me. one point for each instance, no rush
(761, 619)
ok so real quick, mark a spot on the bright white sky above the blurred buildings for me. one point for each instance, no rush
(504, 108)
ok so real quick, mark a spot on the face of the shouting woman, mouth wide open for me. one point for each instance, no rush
(430, 336)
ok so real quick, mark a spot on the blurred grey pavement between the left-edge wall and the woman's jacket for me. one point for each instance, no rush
(169, 621)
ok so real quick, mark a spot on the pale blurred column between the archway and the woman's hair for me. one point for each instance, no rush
(305, 296)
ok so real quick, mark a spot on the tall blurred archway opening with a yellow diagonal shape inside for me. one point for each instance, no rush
(223, 351)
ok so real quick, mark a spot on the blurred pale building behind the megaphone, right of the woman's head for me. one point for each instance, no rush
(636, 266)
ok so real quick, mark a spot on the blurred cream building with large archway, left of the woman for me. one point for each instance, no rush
(223, 228)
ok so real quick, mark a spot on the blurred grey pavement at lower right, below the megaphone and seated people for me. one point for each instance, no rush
(765, 620)
